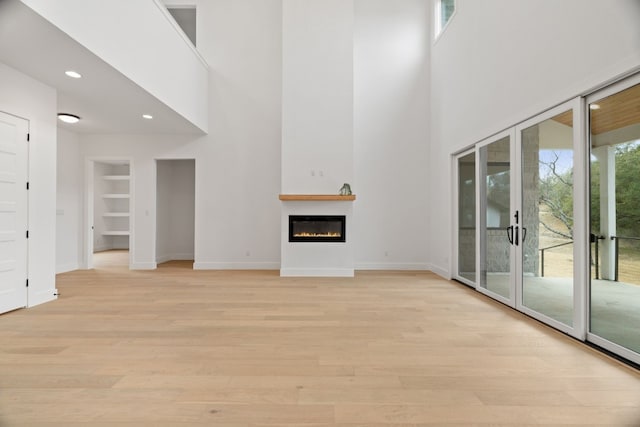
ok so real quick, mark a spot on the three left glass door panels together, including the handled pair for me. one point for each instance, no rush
(526, 221)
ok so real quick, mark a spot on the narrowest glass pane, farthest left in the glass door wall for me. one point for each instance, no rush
(467, 218)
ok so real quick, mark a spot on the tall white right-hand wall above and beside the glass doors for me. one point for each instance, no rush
(499, 63)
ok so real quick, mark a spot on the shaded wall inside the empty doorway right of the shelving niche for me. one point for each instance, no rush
(175, 210)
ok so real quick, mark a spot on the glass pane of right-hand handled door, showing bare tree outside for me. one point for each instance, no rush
(546, 237)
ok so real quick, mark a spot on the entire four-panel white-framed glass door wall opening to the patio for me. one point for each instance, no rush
(552, 209)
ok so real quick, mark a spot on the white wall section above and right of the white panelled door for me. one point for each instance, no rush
(22, 96)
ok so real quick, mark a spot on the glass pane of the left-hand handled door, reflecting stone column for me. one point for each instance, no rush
(495, 208)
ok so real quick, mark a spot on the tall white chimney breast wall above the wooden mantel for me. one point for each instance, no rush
(317, 96)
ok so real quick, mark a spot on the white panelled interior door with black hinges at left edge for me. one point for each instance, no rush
(13, 212)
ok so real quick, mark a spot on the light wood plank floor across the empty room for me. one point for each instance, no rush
(176, 347)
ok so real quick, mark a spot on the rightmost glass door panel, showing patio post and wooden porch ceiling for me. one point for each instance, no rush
(615, 221)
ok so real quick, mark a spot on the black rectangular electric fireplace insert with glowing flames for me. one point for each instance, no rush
(317, 228)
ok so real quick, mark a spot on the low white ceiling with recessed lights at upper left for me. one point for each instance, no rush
(106, 100)
